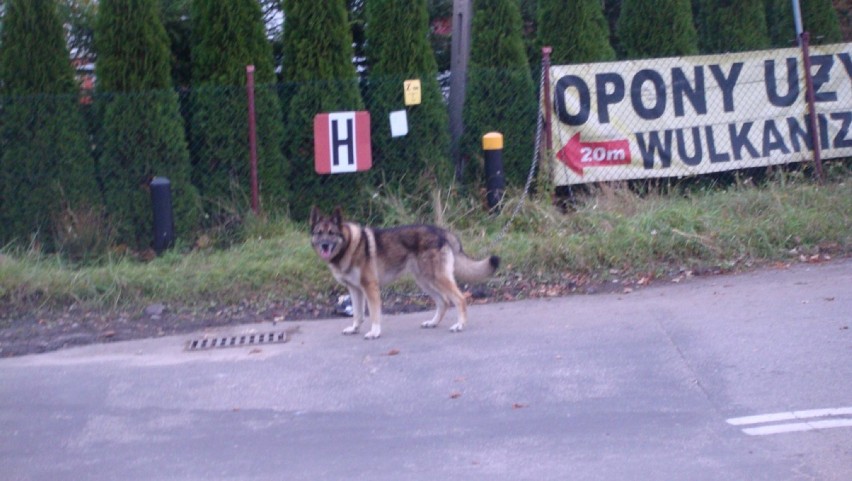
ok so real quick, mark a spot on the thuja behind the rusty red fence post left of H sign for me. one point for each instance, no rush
(226, 37)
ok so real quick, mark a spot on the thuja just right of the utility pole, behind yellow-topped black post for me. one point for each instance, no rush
(500, 92)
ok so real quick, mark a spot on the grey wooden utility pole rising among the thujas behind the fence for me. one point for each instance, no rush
(462, 13)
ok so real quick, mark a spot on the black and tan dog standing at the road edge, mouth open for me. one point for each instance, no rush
(365, 259)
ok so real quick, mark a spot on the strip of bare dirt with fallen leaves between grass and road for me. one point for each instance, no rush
(29, 329)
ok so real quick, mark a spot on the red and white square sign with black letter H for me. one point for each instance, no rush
(342, 142)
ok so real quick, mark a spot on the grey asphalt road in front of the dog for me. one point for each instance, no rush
(671, 382)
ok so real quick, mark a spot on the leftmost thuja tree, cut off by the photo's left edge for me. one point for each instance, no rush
(46, 164)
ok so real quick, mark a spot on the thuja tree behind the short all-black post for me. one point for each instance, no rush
(142, 134)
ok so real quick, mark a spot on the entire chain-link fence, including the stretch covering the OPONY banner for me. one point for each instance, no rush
(672, 117)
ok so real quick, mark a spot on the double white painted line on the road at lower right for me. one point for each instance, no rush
(805, 416)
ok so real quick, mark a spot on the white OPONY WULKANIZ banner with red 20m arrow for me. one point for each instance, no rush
(693, 115)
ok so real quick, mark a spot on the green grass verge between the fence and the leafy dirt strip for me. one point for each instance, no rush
(612, 229)
